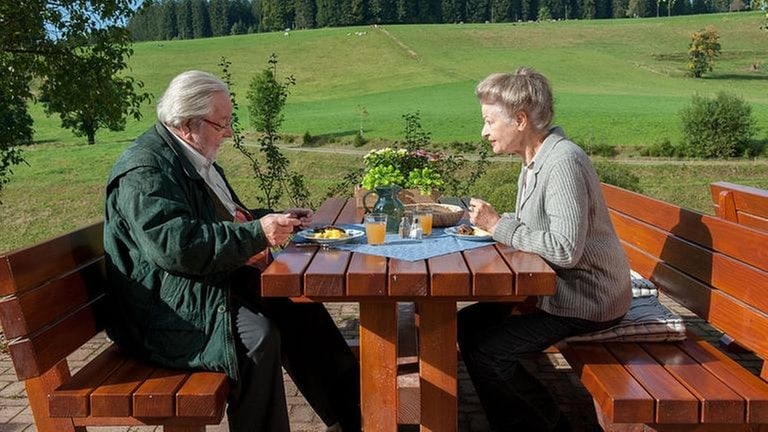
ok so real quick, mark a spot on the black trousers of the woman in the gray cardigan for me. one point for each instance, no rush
(492, 344)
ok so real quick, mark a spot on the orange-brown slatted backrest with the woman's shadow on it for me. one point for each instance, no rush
(716, 268)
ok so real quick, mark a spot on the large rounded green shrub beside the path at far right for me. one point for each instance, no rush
(720, 127)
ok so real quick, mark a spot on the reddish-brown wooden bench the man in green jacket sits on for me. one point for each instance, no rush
(53, 304)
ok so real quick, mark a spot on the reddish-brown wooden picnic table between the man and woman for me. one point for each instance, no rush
(492, 273)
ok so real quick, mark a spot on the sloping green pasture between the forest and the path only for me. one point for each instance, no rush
(618, 82)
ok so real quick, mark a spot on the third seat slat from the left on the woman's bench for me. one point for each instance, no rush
(719, 404)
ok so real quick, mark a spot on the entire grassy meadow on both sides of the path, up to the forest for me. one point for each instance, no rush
(617, 82)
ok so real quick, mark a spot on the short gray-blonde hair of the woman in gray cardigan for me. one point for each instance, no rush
(525, 90)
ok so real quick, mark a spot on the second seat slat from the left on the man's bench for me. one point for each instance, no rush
(114, 397)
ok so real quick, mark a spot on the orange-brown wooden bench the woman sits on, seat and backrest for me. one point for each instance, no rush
(719, 271)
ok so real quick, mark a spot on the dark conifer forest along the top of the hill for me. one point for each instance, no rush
(194, 19)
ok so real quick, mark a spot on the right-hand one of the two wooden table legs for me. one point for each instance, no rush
(437, 366)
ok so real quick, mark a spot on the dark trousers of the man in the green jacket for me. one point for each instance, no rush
(302, 338)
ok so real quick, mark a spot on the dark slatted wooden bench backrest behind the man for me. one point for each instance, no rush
(53, 297)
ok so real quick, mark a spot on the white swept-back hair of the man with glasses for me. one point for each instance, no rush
(188, 96)
